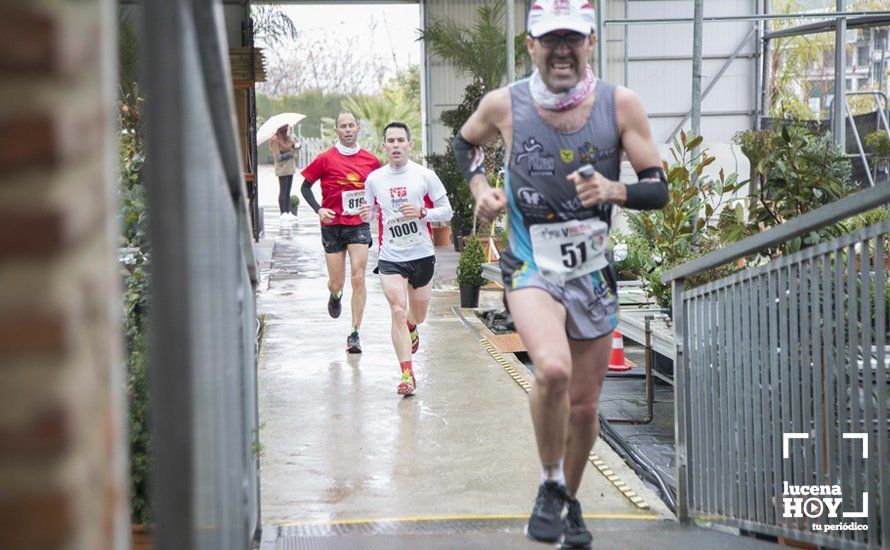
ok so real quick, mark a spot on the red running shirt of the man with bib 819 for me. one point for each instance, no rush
(339, 173)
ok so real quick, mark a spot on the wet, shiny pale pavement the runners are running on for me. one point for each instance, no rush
(340, 449)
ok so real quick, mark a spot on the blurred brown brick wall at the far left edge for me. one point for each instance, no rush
(62, 421)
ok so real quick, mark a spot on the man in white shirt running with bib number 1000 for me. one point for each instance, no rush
(407, 258)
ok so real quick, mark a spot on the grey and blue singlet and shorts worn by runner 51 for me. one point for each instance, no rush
(538, 193)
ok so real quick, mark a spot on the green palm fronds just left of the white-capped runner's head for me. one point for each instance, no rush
(480, 51)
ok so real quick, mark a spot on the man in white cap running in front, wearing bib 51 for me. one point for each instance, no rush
(559, 282)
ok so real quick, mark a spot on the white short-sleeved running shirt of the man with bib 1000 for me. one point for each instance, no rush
(387, 189)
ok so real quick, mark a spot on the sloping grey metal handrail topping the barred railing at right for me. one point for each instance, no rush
(811, 221)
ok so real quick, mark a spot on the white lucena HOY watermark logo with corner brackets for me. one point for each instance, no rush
(821, 501)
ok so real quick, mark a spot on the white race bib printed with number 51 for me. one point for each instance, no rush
(571, 249)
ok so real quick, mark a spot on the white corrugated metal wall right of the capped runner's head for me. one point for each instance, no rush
(659, 64)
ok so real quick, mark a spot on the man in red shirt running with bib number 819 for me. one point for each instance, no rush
(342, 170)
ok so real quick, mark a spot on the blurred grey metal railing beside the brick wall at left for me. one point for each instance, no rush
(203, 354)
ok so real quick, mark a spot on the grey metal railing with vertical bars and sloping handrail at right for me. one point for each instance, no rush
(781, 382)
